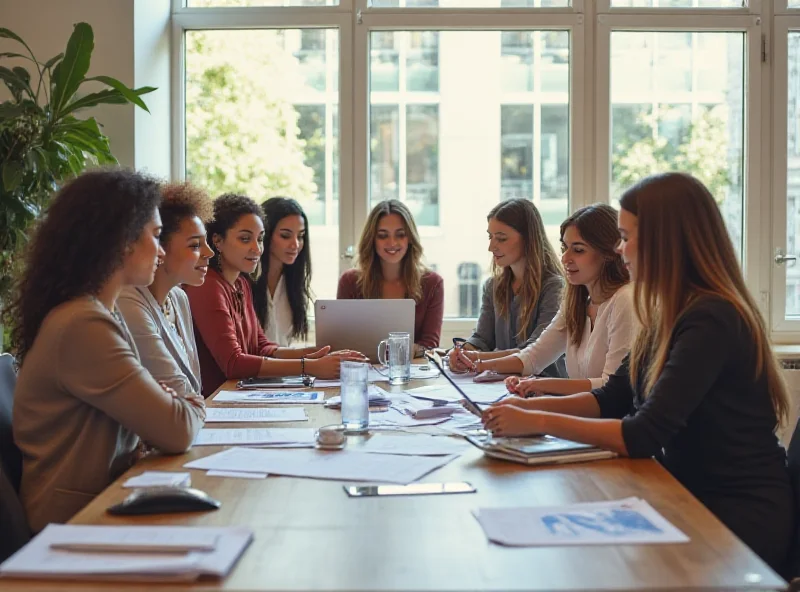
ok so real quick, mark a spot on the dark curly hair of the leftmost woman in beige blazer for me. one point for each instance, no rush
(78, 244)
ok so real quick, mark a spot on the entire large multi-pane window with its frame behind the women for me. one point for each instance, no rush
(454, 105)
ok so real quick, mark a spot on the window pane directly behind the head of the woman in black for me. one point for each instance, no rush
(677, 104)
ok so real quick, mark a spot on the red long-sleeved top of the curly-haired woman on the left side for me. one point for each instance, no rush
(230, 340)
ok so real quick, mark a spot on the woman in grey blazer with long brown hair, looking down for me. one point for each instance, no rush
(523, 295)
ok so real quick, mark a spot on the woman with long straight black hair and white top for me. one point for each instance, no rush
(282, 292)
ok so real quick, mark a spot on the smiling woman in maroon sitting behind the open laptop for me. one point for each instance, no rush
(390, 266)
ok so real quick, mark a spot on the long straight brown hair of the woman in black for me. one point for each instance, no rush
(684, 252)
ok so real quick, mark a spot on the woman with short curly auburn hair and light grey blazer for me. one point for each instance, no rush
(158, 315)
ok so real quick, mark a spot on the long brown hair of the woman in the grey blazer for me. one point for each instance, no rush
(540, 259)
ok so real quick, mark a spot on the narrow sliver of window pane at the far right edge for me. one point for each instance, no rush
(793, 177)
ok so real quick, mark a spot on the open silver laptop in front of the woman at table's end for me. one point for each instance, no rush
(362, 324)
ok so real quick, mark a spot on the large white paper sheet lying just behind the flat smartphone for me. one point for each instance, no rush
(342, 465)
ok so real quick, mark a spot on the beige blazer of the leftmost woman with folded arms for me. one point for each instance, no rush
(81, 404)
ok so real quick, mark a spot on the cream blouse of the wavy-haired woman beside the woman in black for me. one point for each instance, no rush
(601, 349)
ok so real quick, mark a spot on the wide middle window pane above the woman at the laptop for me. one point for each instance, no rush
(452, 141)
